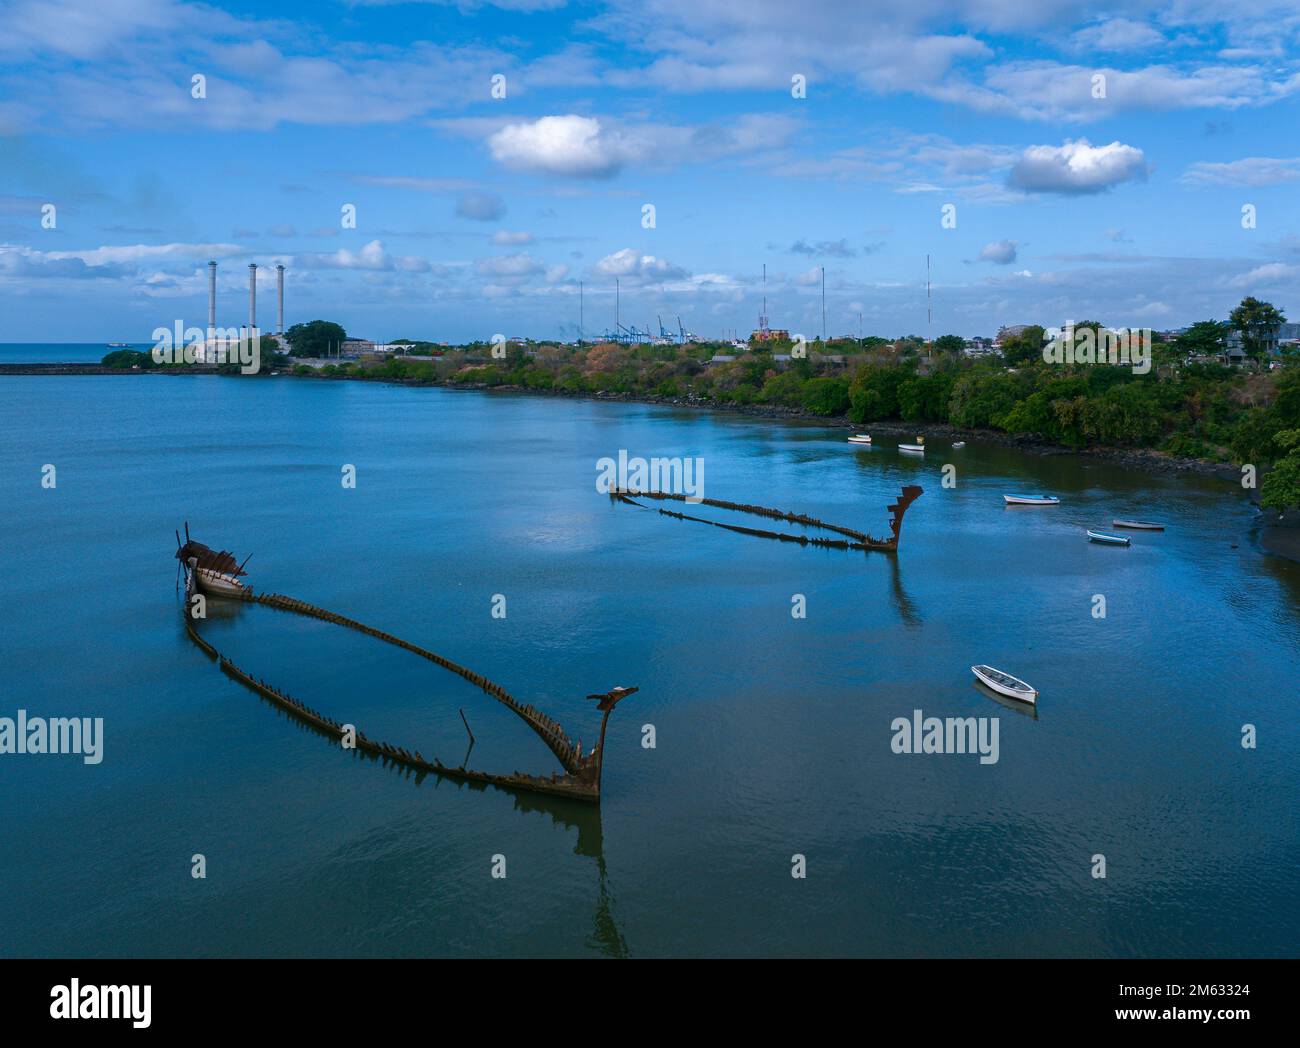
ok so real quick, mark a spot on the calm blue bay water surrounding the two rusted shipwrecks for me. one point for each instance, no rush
(773, 734)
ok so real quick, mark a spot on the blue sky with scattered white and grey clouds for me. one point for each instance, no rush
(480, 215)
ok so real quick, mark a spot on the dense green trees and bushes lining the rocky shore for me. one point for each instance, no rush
(1184, 406)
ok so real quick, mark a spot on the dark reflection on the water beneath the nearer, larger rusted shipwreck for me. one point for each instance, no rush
(586, 819)
